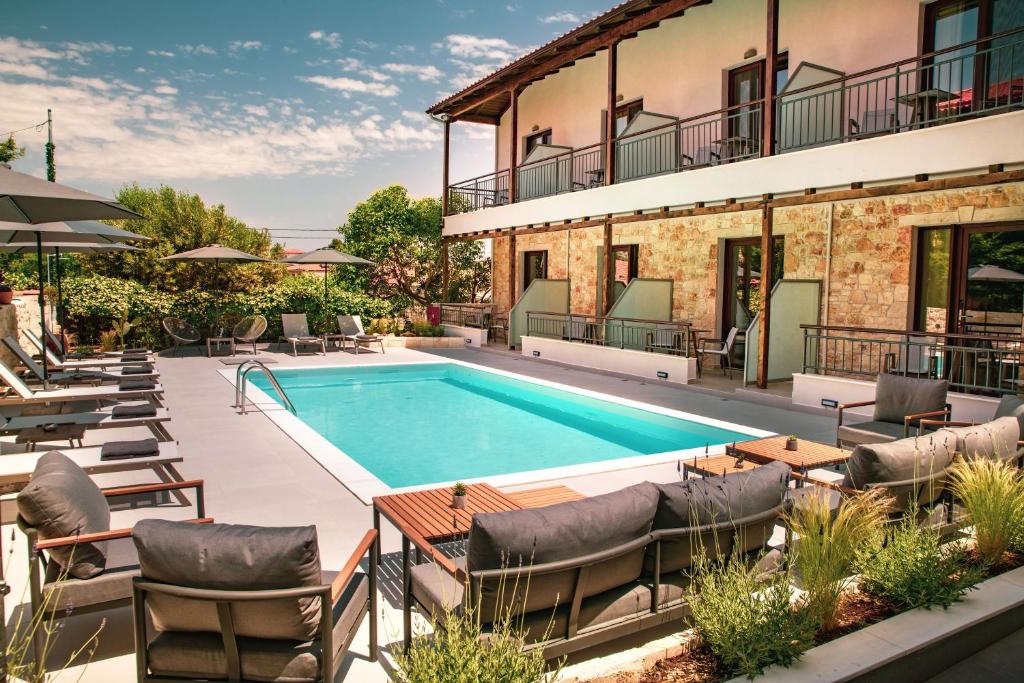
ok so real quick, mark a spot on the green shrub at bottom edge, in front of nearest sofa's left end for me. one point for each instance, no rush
(455, 654)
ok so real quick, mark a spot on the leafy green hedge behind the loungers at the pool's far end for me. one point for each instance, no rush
(93, 303)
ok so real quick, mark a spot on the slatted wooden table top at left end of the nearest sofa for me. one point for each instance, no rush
(430, 515)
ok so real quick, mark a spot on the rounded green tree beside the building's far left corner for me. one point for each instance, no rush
(403, 237)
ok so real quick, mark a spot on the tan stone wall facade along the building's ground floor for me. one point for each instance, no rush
(868, 281)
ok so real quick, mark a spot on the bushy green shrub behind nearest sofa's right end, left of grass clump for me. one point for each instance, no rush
(746, 619)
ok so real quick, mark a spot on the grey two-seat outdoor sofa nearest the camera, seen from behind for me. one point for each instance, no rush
(579, 574)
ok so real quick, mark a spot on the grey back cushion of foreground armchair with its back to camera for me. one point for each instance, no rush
(232, 558)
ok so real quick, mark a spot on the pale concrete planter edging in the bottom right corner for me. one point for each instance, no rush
(917, 645)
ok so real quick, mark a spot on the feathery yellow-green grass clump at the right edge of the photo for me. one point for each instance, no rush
(993, 494)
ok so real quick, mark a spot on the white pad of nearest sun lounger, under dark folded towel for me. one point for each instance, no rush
(17, 468)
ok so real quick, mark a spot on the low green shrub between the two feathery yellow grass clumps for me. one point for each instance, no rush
(913, 568)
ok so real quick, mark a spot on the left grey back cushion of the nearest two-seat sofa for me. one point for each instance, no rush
(563, 532)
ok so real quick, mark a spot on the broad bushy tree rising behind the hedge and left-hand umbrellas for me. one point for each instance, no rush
(180, 222)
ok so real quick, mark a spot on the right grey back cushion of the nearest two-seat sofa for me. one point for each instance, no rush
(718, 501)
